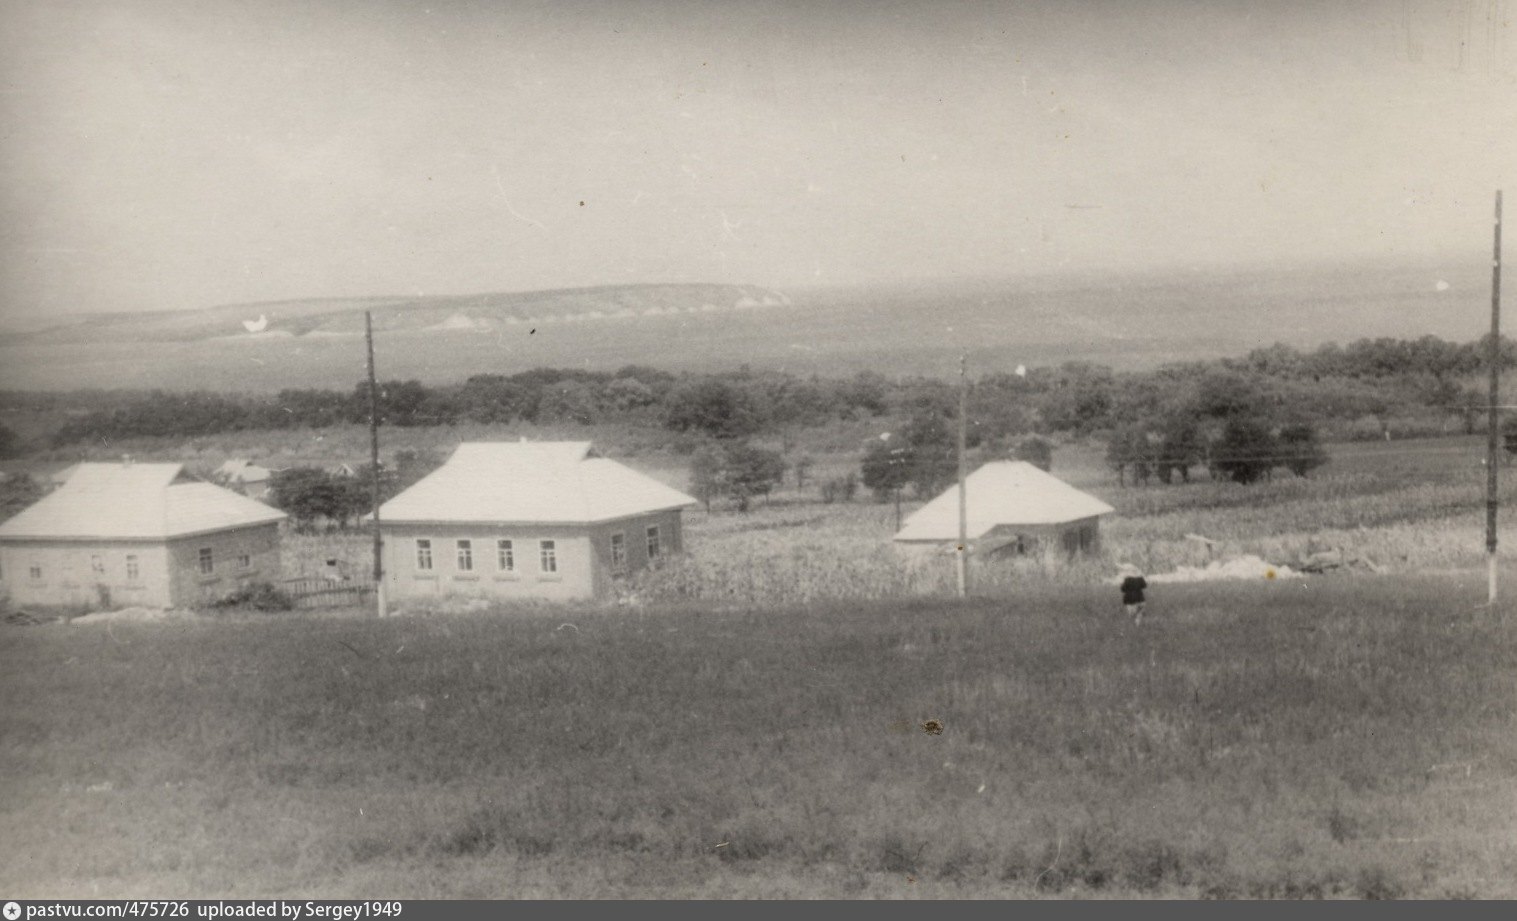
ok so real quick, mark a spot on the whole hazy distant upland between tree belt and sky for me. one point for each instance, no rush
(1125, 321)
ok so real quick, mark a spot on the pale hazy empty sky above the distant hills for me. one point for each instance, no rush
(171, 156)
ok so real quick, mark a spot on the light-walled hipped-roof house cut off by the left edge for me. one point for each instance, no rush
(137, 535)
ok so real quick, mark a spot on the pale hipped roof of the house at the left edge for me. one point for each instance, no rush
(134, 503)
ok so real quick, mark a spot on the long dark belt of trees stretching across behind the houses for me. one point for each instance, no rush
(1327, 388)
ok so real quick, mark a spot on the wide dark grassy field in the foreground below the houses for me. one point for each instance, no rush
(1337, 738)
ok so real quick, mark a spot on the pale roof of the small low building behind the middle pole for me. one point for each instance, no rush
(1002, 494)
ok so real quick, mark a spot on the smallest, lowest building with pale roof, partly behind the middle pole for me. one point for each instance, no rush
(1014, 509)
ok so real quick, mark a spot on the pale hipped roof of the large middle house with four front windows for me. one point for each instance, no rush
(530, 482)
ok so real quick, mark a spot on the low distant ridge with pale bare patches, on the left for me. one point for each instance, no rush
(345, 316)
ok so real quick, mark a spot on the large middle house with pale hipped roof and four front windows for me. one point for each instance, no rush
(527, 520)
